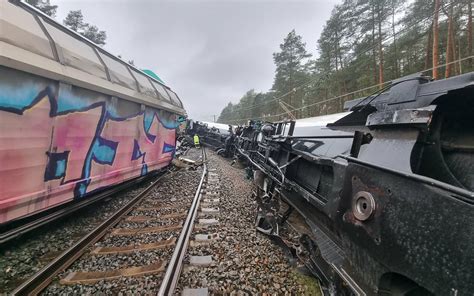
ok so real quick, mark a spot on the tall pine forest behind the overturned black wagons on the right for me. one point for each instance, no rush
(364, 45)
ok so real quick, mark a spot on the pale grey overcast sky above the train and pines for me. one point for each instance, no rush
(209, 52)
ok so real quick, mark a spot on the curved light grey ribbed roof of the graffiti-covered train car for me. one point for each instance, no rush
(32, 42)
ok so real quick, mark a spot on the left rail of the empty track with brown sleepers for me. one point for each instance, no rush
(40, 280)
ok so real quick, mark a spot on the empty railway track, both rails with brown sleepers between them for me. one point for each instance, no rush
(144, 215)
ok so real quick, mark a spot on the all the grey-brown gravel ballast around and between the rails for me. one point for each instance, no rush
(244, 261)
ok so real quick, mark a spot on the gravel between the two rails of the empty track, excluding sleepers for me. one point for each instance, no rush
(175, 197)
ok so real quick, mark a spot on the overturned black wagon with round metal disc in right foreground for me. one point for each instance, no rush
(382, 195)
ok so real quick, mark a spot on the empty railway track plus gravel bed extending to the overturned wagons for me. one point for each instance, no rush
(191, 234)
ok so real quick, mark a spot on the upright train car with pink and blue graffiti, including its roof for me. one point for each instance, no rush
(73, 117)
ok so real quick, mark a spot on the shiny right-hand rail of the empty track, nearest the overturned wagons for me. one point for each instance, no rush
(175, 265)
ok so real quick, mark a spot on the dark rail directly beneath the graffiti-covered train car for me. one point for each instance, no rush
(56, 214)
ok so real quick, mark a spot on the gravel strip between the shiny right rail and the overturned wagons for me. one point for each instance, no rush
(245, 262)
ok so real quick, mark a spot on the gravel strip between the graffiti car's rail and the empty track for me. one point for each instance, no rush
(26, 255)
